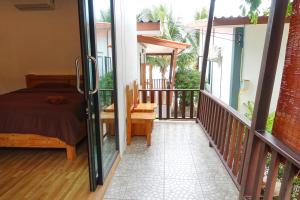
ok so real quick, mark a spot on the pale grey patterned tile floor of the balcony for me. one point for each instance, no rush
(179, 165)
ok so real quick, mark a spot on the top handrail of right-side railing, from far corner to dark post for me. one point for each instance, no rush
(229, 109)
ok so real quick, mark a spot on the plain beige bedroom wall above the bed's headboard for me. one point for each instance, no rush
(41, 42)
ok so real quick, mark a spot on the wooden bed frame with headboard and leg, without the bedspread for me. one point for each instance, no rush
(32, 140)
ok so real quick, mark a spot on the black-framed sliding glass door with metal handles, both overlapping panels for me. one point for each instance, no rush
(99, 75)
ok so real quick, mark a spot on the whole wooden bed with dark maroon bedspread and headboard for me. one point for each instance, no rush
(48, 113)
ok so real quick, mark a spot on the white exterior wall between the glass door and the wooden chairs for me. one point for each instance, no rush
(127, 68)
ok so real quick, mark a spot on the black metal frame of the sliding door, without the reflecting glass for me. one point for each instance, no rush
(95, 180)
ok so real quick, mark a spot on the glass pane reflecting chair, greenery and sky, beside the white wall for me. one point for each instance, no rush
(106, 81)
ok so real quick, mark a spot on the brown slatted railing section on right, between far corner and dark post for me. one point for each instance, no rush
(227, 131)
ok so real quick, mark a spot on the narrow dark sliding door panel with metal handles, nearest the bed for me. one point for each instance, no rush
(89, 67)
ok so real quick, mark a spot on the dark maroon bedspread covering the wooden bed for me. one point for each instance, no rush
(29, 111)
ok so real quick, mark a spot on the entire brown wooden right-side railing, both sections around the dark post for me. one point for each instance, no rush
(228, 132)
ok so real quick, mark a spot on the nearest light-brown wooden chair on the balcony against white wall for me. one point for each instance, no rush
(137, 118)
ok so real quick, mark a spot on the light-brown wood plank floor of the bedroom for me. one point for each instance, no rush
(44, 174)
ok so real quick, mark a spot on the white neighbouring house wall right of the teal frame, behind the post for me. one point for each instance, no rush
(252, 56)
